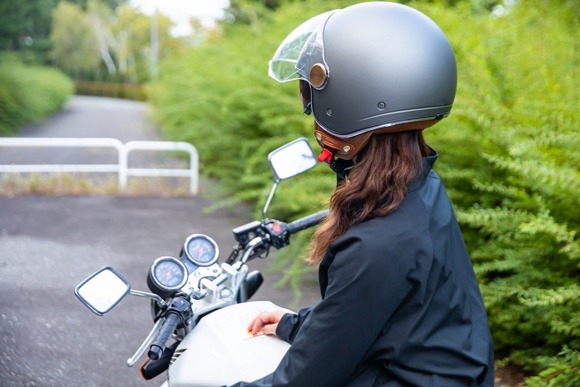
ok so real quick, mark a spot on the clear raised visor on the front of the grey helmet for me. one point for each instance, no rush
(300, 51)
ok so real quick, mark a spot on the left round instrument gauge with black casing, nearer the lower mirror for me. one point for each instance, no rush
(167, 275)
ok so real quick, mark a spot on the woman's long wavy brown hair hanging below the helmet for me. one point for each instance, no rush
(376, 186)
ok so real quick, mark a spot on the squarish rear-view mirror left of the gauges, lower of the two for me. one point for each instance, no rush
(103, 290)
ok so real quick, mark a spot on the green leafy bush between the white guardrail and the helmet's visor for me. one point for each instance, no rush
(218, 98)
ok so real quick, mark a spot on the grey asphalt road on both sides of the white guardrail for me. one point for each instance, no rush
(48, 244)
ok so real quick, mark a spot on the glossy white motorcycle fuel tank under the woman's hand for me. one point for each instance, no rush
(220, 351)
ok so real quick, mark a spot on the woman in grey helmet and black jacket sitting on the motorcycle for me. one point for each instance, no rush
(400, 302)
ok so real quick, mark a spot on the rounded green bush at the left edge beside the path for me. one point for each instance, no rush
(29, 93)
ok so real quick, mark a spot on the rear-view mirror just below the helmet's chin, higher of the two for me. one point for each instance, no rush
(291, 159)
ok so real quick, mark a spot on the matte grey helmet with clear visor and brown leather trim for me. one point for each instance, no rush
(371, 67)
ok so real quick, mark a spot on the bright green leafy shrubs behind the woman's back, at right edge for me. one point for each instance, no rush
(511, 163)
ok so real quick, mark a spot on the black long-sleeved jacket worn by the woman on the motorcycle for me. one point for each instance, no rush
(400, 305)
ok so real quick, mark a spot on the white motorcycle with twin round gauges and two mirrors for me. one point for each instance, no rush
(200, 306)
